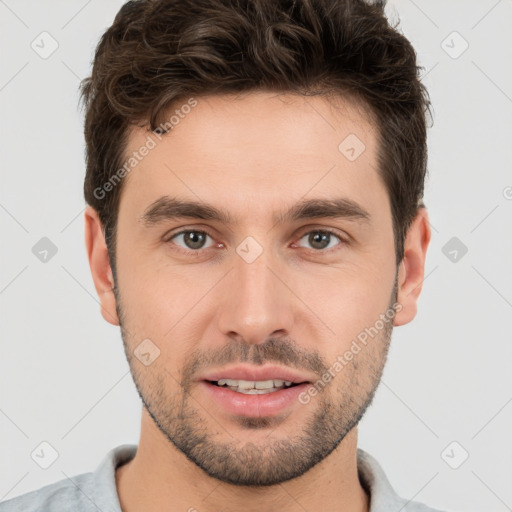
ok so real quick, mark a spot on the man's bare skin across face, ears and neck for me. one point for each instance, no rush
(296, 305)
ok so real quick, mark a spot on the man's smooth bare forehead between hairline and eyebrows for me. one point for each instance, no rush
(256, 149)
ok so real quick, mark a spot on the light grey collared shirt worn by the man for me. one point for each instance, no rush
(96, 491)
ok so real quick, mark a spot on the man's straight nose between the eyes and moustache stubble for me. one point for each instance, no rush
(256, 303)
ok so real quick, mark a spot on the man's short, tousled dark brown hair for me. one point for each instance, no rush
(158, 52)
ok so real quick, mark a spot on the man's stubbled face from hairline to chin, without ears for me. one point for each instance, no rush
(258, 291)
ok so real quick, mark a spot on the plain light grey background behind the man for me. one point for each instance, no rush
(64, 378)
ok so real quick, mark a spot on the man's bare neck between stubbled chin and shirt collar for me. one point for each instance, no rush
(161, 478)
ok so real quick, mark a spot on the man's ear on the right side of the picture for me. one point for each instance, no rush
(412, 267)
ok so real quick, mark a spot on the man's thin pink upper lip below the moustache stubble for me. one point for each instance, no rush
(255, 373)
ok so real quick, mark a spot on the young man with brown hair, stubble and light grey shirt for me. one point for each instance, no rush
(255, 174)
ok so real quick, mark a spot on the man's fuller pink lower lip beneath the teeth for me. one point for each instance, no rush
(254, 406)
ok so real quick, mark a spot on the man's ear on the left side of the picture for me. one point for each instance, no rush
(99, 263)
